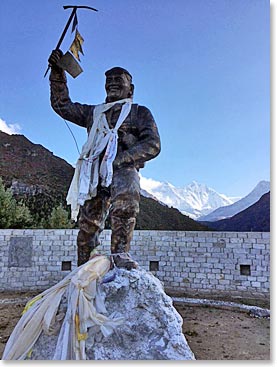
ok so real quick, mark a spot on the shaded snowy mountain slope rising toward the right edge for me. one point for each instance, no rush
(228, 211)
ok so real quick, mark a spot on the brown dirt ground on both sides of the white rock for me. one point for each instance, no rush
(213, 334)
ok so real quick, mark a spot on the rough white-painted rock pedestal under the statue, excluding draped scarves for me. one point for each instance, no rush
(152, 329)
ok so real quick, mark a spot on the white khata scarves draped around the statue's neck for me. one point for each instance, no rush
(86, 177)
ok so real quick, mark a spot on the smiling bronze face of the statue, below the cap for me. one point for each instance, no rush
(118, 87)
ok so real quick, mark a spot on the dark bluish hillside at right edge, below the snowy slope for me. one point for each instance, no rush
(256, 218)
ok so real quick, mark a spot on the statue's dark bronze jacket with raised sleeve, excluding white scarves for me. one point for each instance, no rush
(138, 137)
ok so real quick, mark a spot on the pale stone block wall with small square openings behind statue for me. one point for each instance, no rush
(183, 261)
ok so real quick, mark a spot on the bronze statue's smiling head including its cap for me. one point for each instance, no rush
(118, 84)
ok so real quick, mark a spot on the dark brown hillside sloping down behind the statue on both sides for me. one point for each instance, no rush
(42, 180)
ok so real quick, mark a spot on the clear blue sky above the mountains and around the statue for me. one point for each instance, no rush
(202, 67)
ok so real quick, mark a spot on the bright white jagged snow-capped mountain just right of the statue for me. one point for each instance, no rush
(194, 200)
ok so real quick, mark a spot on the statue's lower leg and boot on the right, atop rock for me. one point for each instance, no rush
(122, 233)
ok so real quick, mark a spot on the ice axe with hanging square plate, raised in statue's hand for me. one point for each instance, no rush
(67, 62)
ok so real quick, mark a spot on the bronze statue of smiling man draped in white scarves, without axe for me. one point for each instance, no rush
(122, 136)
